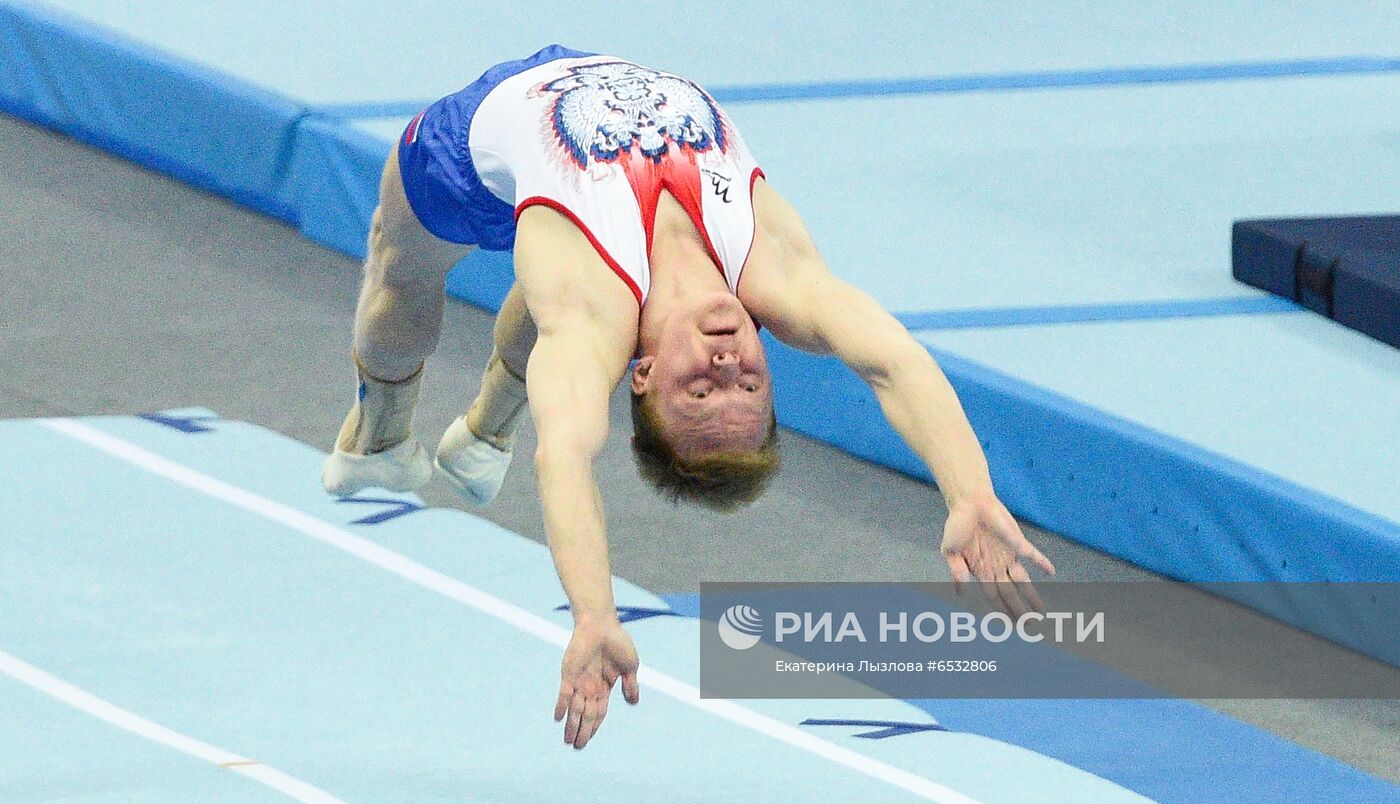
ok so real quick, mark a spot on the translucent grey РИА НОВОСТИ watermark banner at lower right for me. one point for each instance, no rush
(1093, 641)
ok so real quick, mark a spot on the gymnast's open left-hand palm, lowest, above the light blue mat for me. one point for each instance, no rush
(597, 656)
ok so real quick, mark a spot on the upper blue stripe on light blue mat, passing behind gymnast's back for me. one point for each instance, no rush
(976, 83)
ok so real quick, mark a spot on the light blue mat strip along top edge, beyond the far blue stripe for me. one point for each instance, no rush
(328, 53)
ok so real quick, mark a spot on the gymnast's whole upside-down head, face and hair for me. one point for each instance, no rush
(702, 407)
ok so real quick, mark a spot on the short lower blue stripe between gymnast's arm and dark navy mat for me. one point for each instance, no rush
(1087, 313)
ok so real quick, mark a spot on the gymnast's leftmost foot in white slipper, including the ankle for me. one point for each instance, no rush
(376, 446)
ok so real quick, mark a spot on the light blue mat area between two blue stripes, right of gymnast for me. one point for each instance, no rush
(1072, 197)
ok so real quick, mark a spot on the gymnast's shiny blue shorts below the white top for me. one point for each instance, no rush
(439, 176)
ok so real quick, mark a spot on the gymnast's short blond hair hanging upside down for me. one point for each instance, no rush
(720, 481)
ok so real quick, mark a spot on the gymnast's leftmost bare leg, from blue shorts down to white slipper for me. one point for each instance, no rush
(397, 327)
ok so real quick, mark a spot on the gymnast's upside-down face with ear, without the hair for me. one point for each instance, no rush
(709, 379)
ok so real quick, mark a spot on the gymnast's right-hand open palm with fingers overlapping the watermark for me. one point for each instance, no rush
(983, 541)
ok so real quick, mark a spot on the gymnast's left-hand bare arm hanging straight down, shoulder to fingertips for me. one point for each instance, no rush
(587, 327)
